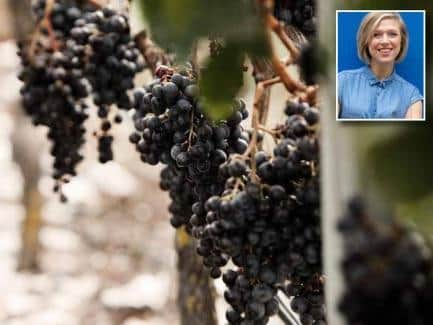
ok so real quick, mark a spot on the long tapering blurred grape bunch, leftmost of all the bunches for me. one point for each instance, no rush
(55, 87)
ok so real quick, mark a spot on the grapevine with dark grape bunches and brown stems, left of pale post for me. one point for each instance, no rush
(254, 212)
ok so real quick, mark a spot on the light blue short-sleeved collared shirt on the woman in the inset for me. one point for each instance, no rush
(362, 95)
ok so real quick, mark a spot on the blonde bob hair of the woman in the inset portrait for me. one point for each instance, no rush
(369, 25)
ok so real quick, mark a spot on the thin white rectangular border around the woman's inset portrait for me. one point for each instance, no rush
(336, 71)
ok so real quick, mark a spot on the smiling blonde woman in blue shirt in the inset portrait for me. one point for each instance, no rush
(376, 91)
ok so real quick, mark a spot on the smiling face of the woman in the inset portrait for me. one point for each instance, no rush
(385, 42)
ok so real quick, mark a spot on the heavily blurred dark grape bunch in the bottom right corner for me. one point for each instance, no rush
(388, 270)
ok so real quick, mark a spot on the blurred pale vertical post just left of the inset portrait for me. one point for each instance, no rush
(338, 167)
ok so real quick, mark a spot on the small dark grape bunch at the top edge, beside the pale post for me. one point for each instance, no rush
(301, 14)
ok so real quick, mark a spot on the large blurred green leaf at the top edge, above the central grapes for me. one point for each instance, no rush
(177, 24)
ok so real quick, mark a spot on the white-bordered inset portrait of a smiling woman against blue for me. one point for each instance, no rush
(380, 65)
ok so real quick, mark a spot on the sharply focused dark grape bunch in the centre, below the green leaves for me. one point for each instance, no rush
(171, 128)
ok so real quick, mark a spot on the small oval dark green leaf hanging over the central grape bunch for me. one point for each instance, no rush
(221, 80)
